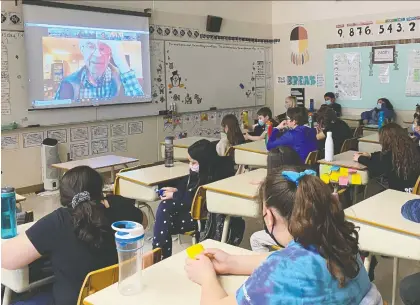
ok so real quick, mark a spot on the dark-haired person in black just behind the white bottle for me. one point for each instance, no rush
(328, 121)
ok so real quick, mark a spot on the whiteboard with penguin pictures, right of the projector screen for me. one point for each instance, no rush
(204, 75)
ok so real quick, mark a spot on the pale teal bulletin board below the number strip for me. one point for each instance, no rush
(373, 79)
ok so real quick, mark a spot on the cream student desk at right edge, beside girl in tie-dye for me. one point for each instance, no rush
(384, 230)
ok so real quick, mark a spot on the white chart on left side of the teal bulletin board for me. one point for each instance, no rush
(347, 76)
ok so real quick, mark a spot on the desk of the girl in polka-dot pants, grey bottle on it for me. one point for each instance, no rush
(141, 184)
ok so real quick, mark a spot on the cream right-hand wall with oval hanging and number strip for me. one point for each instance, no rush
(320, 19)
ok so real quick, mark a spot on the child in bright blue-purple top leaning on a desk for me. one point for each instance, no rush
(299, 137)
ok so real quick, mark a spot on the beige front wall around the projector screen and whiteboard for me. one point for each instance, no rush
(22, 167)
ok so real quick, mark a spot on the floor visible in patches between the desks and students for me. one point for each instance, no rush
(41, 206)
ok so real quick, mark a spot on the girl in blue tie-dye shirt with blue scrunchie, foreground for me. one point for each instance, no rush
(319, 264)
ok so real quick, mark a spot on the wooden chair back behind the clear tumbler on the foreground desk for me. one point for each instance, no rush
(102, 278)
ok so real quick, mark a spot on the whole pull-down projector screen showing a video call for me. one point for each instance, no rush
(85, 58)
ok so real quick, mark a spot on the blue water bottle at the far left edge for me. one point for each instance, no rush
(8, 213)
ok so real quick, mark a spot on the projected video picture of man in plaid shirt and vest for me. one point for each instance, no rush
(89, 65)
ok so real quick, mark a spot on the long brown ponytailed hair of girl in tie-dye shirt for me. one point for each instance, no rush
(314, 219)
